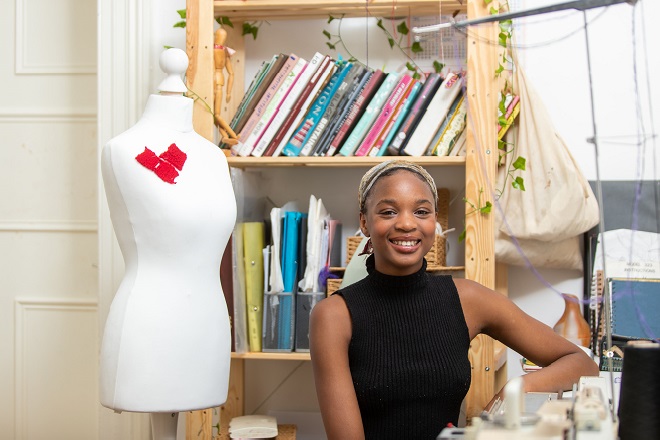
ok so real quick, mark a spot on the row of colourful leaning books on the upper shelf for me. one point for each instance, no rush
(324, 107)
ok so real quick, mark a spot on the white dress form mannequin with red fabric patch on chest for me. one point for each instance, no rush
(166, 345)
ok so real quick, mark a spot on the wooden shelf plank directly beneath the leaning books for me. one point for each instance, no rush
(337, 161)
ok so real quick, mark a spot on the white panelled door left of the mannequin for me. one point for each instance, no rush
(48, 221)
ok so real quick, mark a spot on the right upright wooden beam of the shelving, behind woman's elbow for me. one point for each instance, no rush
(480, 171)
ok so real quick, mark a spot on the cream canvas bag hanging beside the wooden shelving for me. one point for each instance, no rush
(557, 205)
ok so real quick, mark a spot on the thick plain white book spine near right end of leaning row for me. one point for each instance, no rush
(432, 118)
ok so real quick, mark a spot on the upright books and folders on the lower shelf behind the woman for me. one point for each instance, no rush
(277, 277)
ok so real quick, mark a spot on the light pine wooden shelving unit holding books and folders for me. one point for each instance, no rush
(480, 163)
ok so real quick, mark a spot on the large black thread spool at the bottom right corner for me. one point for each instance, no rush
(639, 404)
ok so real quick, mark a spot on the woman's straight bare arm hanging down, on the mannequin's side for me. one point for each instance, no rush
(329, 336)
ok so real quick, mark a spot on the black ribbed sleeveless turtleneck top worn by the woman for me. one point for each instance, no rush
(408, 353)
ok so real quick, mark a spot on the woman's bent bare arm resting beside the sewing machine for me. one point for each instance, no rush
(491, 313)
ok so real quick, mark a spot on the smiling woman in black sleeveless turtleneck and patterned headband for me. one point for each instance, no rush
(390, 352)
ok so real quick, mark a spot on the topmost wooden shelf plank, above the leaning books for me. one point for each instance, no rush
(305, 9)
